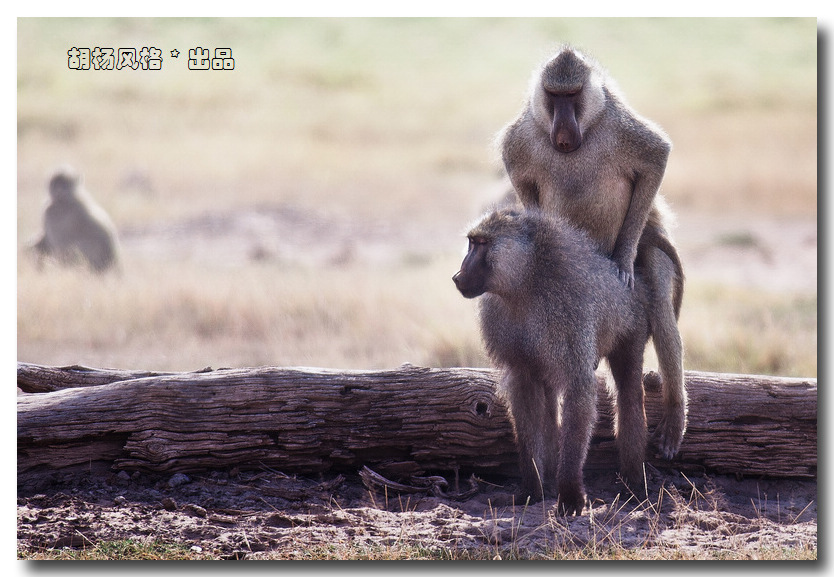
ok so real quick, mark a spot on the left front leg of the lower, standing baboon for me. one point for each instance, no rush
(534, 424)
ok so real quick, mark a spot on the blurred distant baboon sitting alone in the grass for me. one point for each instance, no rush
(75, 227)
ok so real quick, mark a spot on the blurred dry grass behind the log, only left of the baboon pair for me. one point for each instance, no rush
(180, 317)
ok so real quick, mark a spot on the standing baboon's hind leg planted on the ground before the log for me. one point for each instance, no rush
(630, 421)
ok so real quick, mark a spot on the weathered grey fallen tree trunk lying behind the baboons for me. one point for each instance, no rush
(401, 422)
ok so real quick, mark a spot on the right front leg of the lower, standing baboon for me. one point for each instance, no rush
(577, 425)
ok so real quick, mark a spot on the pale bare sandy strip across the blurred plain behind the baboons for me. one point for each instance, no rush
(776, 254)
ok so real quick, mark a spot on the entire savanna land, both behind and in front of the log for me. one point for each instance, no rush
(308, 209)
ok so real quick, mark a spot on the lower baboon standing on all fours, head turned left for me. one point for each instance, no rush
(552, 307)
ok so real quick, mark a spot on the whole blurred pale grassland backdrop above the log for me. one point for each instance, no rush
(308, 207)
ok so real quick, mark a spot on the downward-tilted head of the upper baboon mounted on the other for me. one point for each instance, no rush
(568, 89)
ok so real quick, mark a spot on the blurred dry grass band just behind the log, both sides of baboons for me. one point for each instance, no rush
(180, 317)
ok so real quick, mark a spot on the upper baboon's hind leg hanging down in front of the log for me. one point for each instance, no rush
(669, 348)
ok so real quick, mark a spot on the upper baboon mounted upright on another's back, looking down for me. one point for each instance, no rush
(579, 151)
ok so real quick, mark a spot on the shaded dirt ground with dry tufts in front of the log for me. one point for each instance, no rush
(264, 514)
